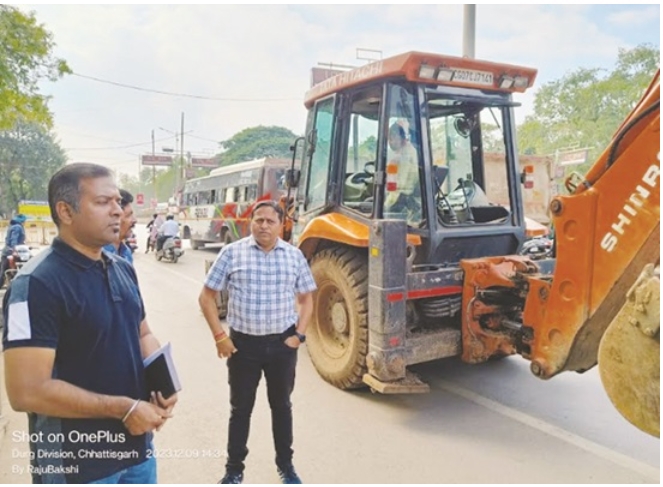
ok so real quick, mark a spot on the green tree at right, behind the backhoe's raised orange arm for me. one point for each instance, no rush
(584, 108)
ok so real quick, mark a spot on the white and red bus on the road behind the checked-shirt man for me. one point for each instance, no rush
(216, 209)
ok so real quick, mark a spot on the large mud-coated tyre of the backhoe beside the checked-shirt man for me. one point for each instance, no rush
(337, 338)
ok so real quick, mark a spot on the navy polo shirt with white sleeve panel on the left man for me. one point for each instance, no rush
(89, 312)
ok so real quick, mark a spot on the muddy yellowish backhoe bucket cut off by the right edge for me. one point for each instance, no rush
(629, 354)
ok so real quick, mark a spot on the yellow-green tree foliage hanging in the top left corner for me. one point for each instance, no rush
(25, 59)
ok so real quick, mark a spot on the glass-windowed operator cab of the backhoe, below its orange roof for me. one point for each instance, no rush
(440, 156)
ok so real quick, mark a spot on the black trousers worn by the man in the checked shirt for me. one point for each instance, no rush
(257, 355)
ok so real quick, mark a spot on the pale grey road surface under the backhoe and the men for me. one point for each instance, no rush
(491, 423)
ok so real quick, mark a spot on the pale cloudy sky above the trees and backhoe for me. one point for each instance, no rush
(226, 68)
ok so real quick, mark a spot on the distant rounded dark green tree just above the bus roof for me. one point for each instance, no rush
(257, 142)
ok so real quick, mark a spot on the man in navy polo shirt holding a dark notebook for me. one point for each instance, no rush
(74, 343)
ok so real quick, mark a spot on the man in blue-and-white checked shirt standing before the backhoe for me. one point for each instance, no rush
(264, 277)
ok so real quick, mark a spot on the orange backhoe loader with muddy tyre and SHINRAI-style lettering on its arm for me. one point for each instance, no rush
(414, 246)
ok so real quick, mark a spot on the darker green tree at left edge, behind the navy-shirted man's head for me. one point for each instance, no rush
(29, 155)
